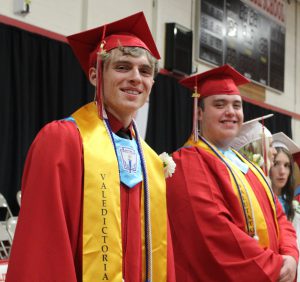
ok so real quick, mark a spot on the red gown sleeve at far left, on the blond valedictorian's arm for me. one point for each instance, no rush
(47, 239)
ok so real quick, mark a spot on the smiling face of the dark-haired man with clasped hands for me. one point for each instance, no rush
(221, 119)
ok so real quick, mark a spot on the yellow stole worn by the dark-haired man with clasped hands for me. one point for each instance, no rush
(248, 200)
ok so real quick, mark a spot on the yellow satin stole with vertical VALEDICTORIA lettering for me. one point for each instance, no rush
(102, 239)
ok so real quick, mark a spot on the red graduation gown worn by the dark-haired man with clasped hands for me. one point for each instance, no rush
(207, 225)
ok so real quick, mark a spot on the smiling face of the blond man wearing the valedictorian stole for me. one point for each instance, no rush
(127, 82)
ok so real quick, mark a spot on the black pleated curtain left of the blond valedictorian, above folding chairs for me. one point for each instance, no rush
(40, 80)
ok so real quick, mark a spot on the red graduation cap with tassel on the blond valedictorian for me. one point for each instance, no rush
(132, 31)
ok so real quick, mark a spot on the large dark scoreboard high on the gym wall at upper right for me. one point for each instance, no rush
(249, 35)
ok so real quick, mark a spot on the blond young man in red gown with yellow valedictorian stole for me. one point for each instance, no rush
(93, 192)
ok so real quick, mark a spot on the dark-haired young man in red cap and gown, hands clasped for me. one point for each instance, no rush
(226, 224)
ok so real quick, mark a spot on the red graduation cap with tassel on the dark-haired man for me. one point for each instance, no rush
(218, 81)
